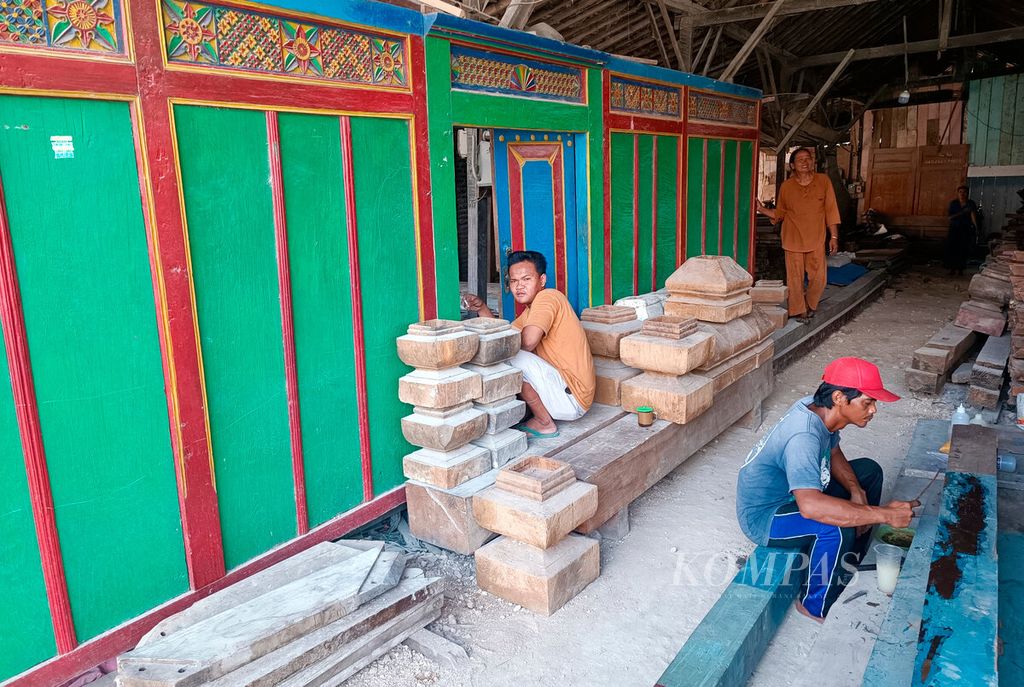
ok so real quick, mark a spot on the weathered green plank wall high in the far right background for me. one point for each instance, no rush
(996, 121)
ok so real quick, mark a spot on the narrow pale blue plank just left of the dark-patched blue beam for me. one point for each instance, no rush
(897, 648)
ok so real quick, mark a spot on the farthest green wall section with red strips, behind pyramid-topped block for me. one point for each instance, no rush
(719, 179)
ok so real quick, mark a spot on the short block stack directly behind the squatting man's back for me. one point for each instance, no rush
(606, 327)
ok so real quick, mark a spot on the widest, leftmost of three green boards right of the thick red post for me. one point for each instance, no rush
(231, 231)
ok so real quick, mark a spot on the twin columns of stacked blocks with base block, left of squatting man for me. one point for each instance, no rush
(463, 395)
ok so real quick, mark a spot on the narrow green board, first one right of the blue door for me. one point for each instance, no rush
(622, 216)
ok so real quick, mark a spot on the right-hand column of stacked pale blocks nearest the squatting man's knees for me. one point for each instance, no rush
(501, 382)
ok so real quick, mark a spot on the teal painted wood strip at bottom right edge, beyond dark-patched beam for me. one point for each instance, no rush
(1012, 609)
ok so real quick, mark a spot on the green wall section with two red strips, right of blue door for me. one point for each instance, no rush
(652, 182)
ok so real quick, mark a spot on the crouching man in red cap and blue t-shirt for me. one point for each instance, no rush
(797, 490)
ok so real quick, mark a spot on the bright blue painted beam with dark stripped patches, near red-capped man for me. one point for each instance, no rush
(960, 618)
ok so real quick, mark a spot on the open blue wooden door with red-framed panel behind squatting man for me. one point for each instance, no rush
(536, 207)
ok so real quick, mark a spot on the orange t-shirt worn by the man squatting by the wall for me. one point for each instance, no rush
(565, 345)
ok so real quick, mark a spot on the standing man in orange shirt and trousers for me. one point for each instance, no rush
(806, 205)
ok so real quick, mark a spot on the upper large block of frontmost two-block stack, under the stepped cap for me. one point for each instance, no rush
(541, 524)
